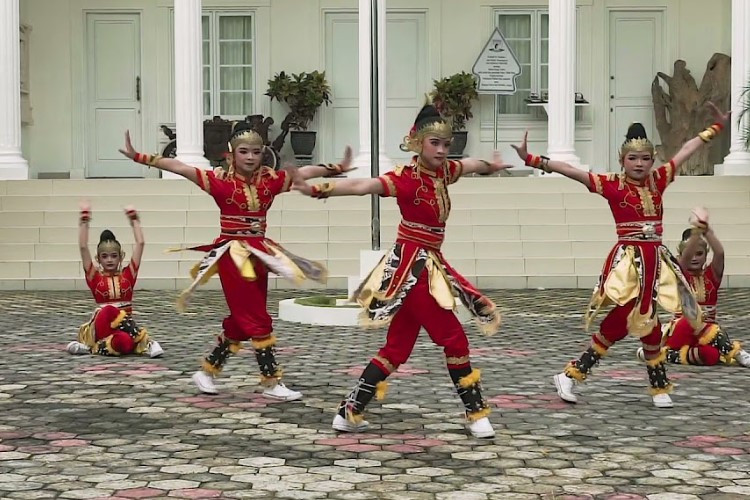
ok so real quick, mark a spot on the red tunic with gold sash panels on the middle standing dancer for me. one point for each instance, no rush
(422, 197)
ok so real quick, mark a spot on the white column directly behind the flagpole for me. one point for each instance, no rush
(362, 160)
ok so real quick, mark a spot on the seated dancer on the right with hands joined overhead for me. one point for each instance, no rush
(709, 345)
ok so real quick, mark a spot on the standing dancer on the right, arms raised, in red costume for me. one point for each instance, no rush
(639, 272)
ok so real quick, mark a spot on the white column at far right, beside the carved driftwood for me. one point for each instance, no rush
(737, 162)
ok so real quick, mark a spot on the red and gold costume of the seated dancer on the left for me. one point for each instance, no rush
(111, 329)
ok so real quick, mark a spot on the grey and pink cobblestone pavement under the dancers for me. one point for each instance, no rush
(134, 427)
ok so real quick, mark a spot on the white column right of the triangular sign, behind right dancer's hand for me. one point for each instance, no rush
(562, 76)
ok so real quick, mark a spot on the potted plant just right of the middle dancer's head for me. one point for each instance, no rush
(453, 96)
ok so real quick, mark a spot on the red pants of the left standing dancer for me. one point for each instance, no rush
(248, 316)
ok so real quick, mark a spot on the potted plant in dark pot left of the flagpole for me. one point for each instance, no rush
(304, 93)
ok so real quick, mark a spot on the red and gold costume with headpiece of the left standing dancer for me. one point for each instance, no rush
(243, 256)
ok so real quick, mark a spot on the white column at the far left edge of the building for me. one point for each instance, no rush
(12, 163)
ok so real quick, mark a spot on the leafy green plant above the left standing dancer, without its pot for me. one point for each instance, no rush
(303, 92)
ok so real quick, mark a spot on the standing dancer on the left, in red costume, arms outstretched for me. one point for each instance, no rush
(241, 254)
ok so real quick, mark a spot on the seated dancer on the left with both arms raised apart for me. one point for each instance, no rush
(112, 330)
